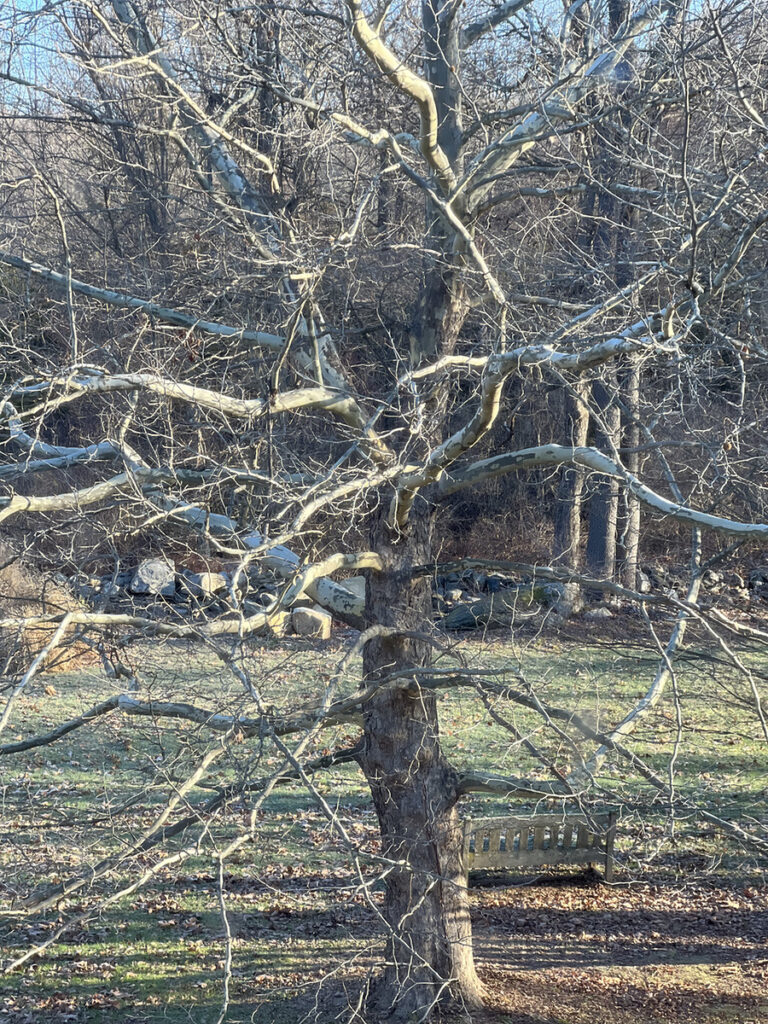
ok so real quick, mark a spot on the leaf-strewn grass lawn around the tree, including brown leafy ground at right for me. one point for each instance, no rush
(680, 937)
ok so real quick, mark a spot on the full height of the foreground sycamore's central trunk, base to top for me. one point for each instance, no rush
(415, 789)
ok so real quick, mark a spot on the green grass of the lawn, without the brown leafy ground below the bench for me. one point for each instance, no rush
(158, 955)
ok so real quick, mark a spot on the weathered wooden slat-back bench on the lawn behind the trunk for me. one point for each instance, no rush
(545, 839)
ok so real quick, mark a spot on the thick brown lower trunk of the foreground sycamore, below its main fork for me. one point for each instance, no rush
(430, 958)
